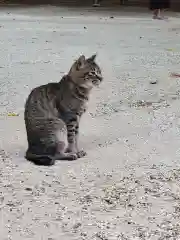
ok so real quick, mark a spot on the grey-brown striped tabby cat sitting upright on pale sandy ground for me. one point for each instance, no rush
(53, 111)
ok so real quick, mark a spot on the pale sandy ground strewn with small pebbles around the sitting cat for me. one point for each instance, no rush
(128, 186)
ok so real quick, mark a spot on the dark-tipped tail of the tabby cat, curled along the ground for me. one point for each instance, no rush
(41, 160)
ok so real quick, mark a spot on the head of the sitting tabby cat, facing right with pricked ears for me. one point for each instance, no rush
(86, 72)
